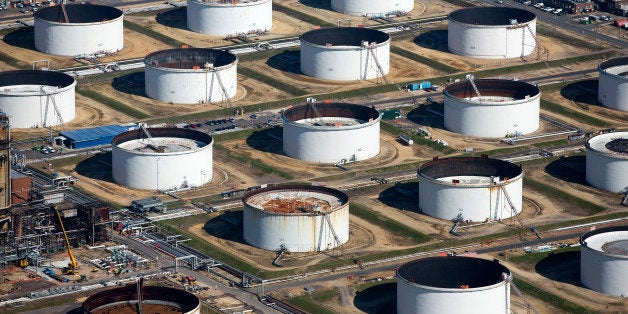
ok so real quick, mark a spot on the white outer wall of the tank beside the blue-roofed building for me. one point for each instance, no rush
(151, 172)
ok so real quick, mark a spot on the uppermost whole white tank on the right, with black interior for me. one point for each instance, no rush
(492, 32)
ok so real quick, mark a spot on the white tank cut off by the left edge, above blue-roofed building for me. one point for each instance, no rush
(28, 97)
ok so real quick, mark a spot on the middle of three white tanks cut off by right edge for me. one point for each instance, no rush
(607, 161)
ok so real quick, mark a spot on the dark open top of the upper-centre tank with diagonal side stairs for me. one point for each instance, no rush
(344, 36)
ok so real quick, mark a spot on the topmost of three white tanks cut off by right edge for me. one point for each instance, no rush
(613, 84)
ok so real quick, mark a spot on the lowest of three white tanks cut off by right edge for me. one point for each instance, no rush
(604, 260)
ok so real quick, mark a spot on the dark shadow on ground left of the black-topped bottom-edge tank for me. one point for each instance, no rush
(378, 299)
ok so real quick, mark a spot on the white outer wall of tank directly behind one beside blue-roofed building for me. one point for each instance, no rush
(189, 87)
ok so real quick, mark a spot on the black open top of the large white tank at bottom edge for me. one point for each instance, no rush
(453, 272)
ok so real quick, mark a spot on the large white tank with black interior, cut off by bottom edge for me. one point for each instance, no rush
(453, 284)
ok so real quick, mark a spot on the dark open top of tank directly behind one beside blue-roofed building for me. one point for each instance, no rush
(189, 58)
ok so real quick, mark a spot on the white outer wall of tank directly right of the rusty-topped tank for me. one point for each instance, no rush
(475, 203)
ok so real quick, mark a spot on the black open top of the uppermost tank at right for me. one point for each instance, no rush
(492, 16)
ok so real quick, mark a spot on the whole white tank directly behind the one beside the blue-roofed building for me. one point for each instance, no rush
(191, 75)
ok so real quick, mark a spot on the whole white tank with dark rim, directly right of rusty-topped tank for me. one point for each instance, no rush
(470, 188)
